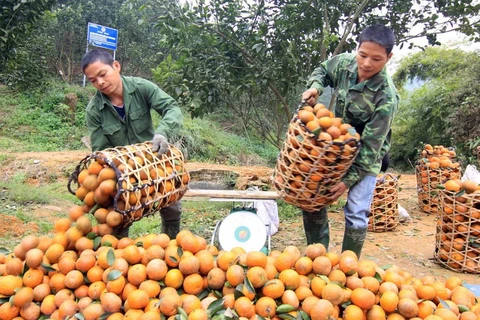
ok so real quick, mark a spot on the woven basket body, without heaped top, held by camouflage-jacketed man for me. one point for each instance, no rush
(307, 167)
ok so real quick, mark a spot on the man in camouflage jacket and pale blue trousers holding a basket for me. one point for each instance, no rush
(366, 98)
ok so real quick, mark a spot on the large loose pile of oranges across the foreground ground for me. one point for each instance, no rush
(77, 274)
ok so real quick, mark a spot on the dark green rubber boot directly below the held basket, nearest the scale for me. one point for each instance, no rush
(316, 227)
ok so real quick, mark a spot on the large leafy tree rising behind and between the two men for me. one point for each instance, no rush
(253, 58)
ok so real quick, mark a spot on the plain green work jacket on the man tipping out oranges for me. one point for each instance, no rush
(108, 130)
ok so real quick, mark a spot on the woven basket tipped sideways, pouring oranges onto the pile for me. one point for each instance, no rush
(144, 182)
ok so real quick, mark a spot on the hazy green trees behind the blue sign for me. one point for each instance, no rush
(58, 43)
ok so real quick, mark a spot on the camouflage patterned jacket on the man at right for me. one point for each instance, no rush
(369, 106)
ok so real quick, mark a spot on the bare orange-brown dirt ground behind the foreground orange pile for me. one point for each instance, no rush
(409, 246)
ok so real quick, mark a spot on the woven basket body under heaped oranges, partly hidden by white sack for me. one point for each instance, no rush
(429, 176)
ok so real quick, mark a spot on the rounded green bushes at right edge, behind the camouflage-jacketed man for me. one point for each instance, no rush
(444, 109)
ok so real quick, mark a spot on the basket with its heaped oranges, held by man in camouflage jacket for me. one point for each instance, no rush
(317, 152)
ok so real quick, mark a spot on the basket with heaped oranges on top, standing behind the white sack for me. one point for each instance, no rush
(436, 165)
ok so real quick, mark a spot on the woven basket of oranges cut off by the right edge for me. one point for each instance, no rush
(457, 239)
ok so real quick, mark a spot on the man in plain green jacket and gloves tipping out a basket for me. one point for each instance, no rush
(119, 115)
